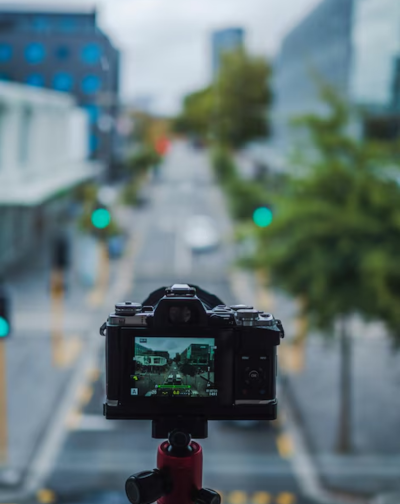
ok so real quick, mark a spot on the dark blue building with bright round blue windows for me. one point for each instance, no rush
(66, 51)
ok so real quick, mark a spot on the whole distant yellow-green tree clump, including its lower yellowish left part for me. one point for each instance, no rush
(233, 110)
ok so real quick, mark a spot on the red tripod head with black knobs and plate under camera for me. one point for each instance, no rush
(179, 473)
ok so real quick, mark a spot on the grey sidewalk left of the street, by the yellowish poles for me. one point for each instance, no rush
(35, 386)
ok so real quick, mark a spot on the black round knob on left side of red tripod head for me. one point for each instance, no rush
(146, 487)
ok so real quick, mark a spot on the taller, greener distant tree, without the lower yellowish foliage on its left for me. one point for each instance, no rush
(242, 96)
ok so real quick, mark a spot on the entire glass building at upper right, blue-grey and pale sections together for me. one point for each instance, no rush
(352, 45)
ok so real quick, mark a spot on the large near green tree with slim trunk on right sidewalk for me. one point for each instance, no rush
(336, 235)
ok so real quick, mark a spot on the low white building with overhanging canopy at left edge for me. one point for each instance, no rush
(43, 155)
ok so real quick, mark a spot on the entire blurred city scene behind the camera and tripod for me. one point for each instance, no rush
(249, 147)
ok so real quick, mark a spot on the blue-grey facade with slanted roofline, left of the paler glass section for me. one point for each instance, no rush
(319, 49)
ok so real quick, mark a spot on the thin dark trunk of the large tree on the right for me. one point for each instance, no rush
(344, 428)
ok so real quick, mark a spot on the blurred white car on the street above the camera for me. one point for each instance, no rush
(201, 233)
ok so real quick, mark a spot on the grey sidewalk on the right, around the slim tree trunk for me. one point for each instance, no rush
(310, 388)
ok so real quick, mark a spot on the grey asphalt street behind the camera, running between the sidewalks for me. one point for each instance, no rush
(243, 461)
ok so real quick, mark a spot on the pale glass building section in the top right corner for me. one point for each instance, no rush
(375, 78)
